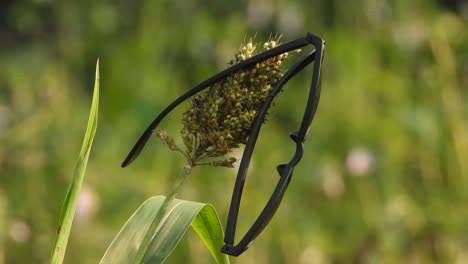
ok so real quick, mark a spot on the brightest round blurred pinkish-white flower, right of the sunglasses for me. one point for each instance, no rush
(360, 161)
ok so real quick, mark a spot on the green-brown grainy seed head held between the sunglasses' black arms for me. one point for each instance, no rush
(220, 119)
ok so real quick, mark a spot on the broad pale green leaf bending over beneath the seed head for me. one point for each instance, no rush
(180, 215)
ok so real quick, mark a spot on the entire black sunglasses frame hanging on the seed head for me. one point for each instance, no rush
(285, 170)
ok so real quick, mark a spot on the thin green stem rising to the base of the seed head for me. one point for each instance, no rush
(160, 214)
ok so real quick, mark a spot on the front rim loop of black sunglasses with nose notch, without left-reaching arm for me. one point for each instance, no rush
(287, 169)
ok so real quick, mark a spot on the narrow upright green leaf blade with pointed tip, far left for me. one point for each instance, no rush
(71, 198)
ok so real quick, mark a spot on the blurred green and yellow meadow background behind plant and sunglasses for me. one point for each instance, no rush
(384, 178)
